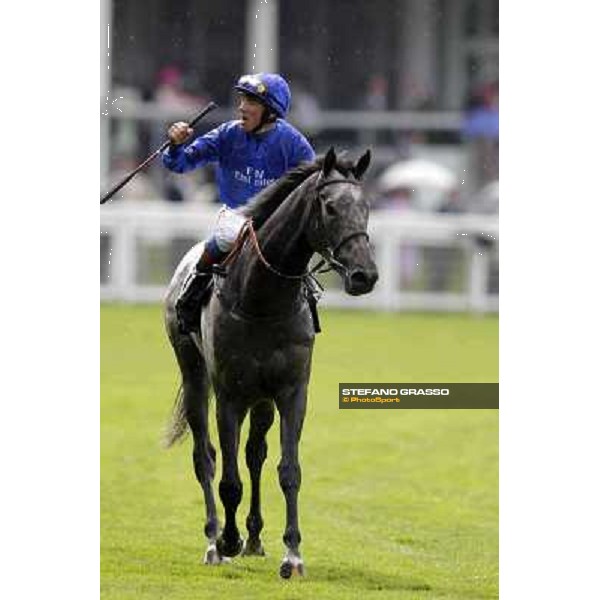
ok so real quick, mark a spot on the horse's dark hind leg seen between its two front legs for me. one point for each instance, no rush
(261, 419)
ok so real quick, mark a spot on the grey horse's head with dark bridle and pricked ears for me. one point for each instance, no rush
(338, 228)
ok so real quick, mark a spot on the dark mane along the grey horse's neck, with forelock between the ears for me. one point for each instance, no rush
(264, 204)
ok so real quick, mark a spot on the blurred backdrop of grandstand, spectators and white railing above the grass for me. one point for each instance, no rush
(415, 80)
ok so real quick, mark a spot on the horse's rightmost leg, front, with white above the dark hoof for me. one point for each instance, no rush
(292, 408)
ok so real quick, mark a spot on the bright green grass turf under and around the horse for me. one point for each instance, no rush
(394, 504)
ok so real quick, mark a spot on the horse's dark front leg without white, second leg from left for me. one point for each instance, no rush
(229, 420)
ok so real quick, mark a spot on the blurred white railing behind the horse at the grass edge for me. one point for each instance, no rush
(131, 226)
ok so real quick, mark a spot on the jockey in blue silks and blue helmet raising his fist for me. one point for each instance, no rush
(250, 153)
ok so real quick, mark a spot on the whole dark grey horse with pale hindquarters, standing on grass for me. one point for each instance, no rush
(256, 338)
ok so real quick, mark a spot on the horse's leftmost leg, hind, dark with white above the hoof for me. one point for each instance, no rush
(195, 389)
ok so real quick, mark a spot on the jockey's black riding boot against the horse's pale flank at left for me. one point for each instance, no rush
(189, 303)
